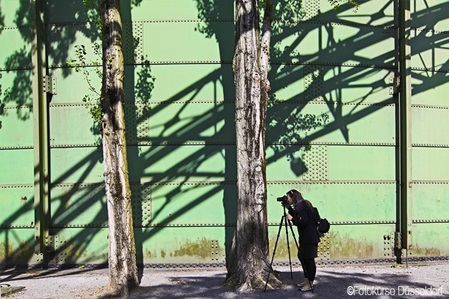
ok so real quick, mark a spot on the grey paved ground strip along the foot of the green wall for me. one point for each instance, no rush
(365, 281)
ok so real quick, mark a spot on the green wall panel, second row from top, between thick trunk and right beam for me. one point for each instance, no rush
(346, 45)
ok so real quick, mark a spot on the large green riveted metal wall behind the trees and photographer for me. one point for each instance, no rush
(333, 131)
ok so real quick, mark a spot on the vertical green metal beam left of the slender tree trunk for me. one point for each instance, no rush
(40, 127)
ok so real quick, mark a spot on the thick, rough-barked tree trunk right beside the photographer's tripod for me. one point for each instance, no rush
(249, 267)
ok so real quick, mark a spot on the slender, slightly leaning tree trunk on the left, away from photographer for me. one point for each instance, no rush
(122, 252)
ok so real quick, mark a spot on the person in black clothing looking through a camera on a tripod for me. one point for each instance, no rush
(302, 214)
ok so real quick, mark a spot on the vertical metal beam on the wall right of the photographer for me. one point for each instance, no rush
(404, 123)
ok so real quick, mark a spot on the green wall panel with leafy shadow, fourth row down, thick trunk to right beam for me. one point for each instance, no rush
(331, 122)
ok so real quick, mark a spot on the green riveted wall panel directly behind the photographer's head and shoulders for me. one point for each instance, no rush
(341, 202)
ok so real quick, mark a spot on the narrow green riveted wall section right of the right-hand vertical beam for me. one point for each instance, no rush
(429, 41)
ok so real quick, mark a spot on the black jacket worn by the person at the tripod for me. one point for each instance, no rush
(306, 219)
